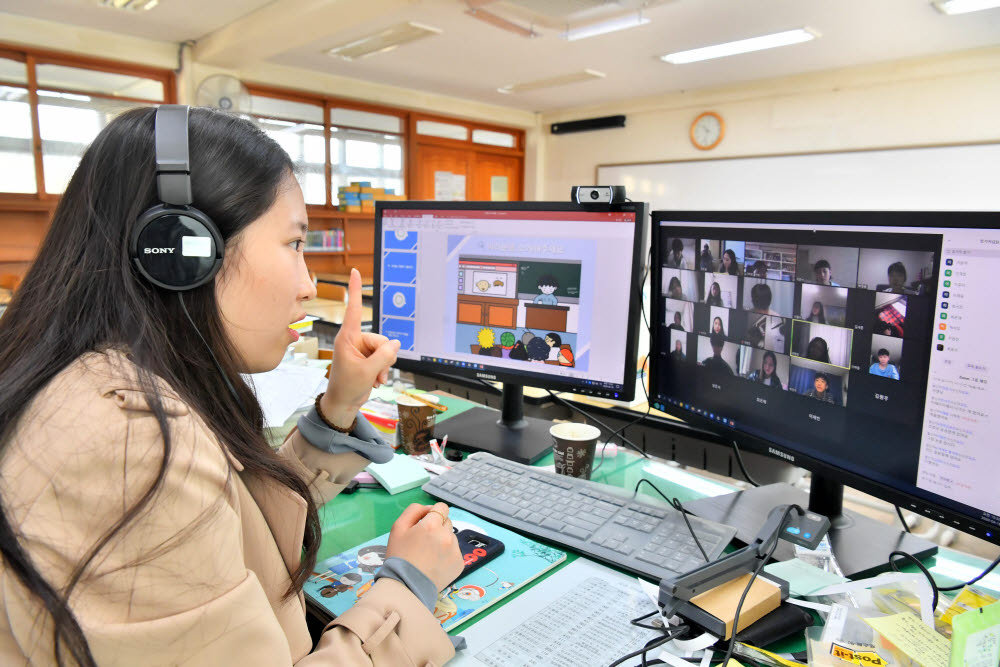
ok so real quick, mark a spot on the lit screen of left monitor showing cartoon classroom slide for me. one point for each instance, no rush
(539, 293)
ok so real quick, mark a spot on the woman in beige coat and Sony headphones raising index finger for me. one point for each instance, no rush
(144, 519)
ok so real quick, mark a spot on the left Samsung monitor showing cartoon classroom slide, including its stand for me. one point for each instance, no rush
(538, 293)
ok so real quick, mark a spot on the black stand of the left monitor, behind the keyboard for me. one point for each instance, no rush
(513, 436)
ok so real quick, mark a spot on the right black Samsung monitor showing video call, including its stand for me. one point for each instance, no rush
(858, 345)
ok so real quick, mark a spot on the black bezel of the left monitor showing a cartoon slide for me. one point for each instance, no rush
(497, 374)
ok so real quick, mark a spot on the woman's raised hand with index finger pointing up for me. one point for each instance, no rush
(361, 361)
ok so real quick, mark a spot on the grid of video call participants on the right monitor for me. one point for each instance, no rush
(808, 312)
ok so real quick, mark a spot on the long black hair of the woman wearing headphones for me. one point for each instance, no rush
(83, 295)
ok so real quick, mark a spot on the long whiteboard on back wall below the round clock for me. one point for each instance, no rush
(941, 178)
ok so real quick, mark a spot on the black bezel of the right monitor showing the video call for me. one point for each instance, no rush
(921, 505)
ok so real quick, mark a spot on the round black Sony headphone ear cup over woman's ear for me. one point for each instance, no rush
(177, 248)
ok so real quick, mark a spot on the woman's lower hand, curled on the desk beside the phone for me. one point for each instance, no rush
(423, 536)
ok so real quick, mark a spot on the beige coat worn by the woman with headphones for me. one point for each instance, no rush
(196, 579)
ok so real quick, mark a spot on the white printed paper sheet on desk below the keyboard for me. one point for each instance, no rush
(578, 617)
